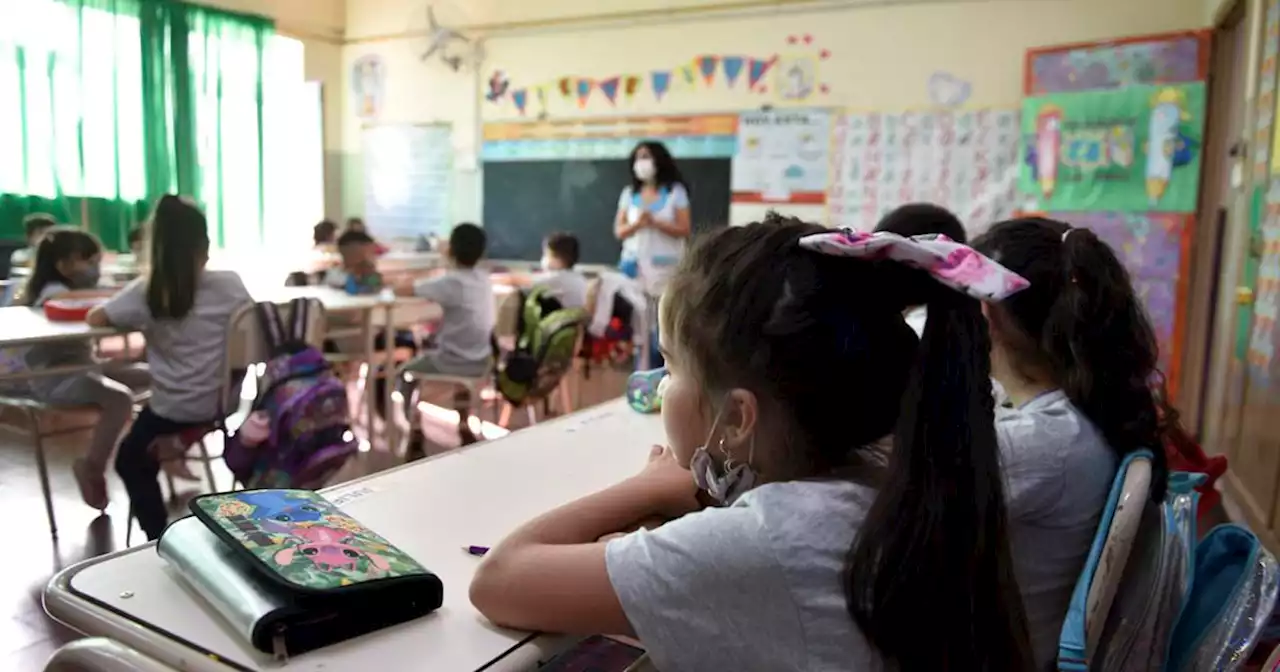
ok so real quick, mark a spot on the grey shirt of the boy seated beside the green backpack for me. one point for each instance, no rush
(465, 332)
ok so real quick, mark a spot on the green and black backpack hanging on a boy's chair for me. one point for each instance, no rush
(545, 349)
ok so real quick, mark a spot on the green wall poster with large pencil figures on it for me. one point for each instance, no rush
(1132, 150)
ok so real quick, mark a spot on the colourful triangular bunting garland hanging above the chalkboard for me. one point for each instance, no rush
(694, 75)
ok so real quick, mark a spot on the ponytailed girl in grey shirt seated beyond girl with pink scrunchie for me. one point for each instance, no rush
(1077, 356)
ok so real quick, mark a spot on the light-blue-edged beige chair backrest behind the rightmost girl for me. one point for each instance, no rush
(1096, 589)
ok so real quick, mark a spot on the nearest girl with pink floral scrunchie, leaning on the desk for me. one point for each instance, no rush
(826, 552)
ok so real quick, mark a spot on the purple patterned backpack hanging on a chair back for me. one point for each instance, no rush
(307, 406)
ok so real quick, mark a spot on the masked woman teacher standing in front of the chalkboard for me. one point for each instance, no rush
(653, 225)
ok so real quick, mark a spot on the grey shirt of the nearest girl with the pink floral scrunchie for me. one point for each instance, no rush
(753, 587)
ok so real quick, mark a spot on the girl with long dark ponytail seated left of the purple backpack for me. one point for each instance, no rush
(184, 310)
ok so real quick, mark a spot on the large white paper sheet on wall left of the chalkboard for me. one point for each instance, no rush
(408, 180)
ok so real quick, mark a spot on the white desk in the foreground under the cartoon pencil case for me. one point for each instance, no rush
(431, 509)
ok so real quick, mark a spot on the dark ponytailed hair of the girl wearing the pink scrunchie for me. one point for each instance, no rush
(749, 309)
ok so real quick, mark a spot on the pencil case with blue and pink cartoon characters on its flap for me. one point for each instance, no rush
(292, 573)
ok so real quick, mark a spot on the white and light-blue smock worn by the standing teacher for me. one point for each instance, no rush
(655, 253)
